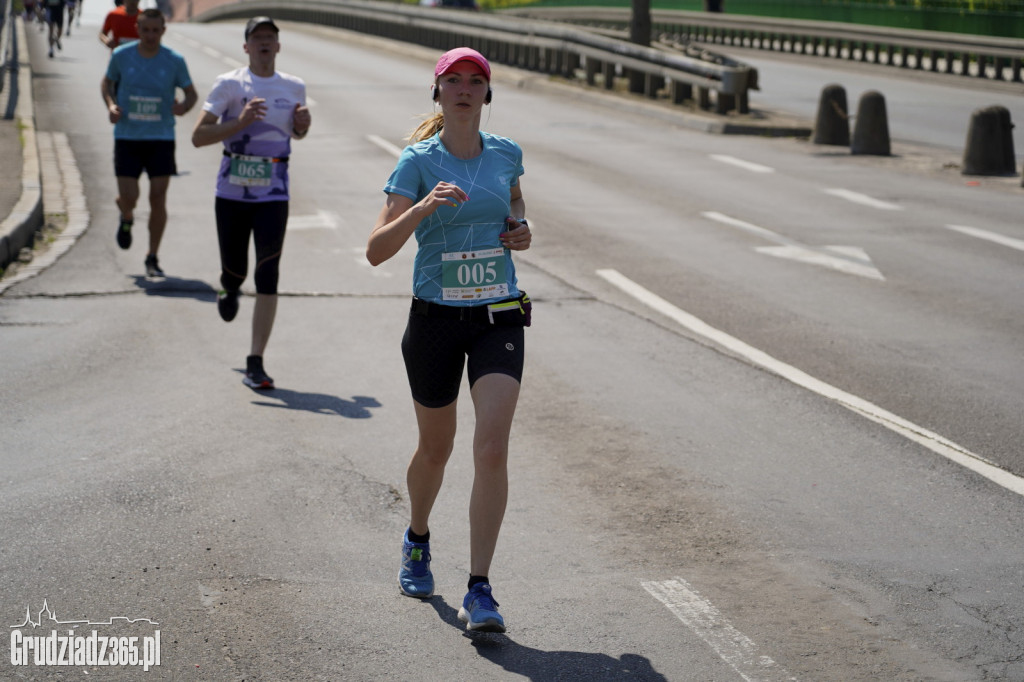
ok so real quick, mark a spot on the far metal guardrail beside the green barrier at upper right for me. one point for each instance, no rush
(976, 57)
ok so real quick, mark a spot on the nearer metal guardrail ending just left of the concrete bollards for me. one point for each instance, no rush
(536, 46)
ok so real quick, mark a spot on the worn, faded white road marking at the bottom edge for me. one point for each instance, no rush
(732, 646)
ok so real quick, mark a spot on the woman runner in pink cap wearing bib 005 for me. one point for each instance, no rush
(457, 190)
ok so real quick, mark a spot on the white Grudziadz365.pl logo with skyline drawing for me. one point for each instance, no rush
(80, 649)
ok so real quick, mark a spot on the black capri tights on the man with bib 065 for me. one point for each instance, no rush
(267, 222)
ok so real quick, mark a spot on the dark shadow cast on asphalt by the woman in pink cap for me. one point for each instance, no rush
(539, 665)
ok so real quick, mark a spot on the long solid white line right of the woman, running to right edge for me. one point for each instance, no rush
(929, 440)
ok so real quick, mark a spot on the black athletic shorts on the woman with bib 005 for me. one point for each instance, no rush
(437, 349)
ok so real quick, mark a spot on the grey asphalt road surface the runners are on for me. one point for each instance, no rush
(771, 425)
